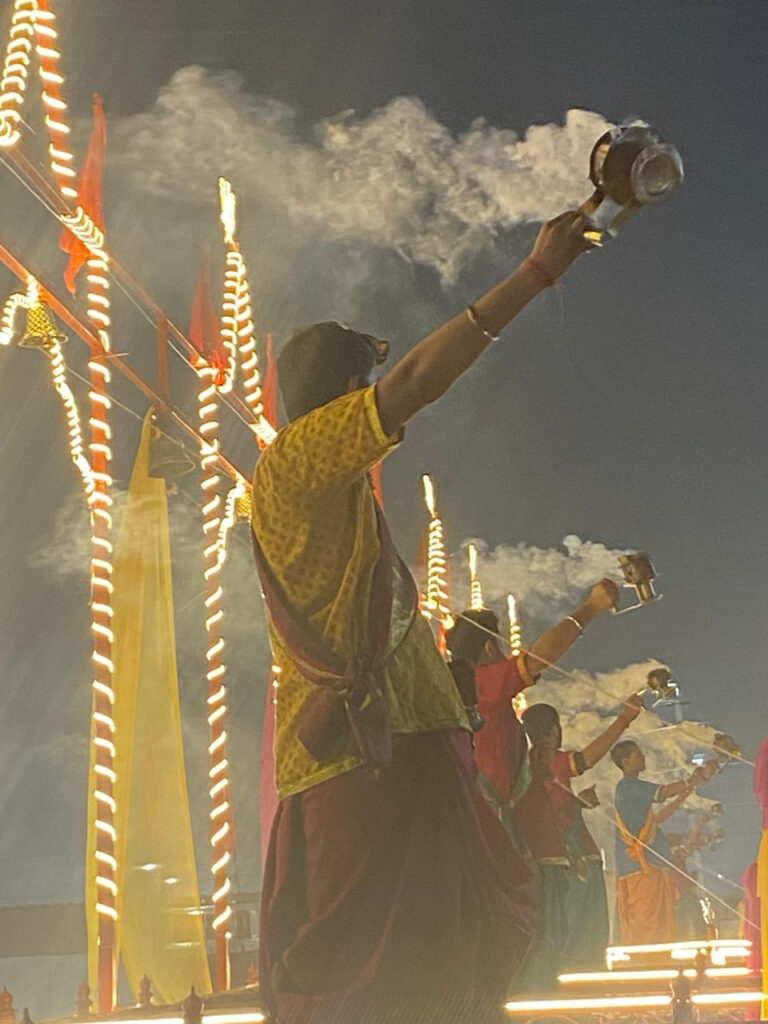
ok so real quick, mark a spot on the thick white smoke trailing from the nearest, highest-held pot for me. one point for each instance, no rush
(397, 180)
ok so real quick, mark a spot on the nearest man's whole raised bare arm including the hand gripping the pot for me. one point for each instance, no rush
(439, 361)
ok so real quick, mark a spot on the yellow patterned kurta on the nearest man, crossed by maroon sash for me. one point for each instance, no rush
(315, 519)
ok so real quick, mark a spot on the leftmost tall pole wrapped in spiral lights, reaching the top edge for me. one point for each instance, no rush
(33, 25)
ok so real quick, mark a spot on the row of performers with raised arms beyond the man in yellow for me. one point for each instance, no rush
(528, 780)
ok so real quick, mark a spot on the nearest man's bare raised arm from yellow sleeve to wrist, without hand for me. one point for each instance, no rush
(428, 372)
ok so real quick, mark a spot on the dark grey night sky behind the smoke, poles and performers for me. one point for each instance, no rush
(628, 408)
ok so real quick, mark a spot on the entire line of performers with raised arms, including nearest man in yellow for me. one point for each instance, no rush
(417, 871)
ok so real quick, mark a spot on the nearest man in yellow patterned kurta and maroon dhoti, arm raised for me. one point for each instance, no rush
(392, 894)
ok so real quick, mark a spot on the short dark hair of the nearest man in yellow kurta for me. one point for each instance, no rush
(317, 364)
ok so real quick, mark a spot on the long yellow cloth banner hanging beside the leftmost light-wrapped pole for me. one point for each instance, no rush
(160, 929)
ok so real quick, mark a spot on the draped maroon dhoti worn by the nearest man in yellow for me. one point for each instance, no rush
(397, 900)
